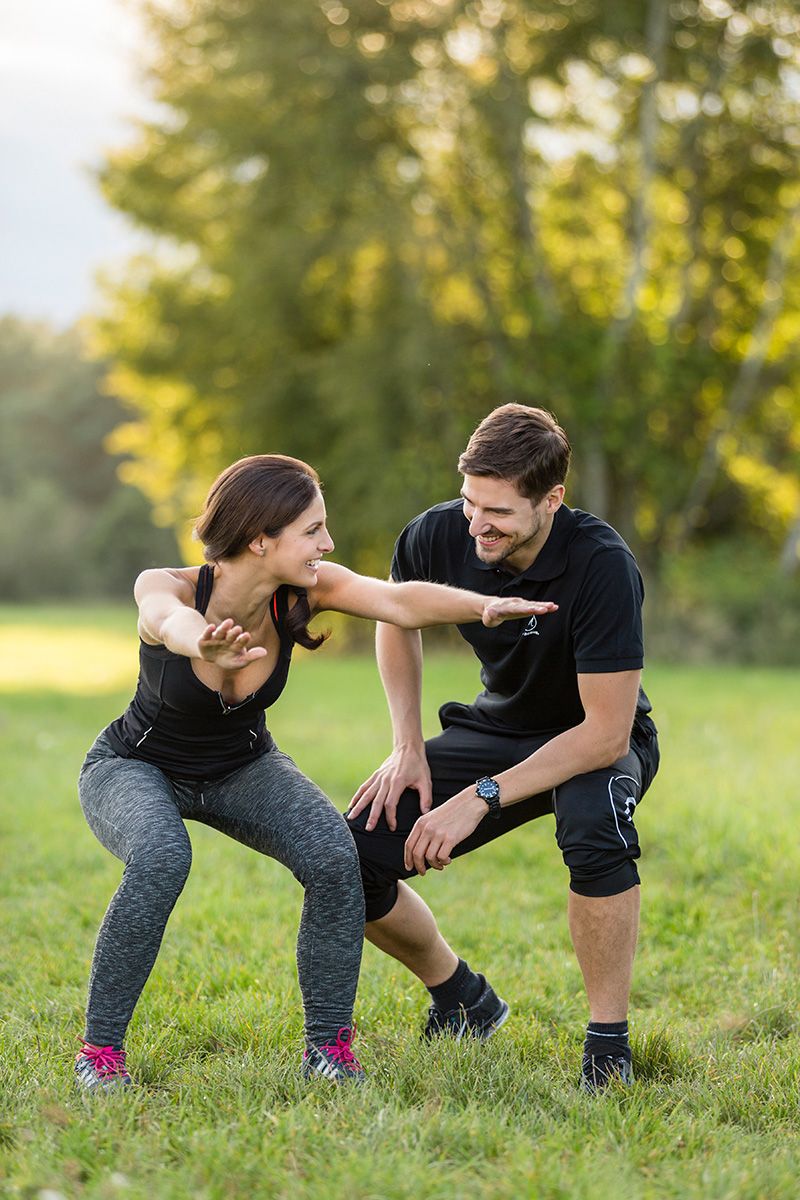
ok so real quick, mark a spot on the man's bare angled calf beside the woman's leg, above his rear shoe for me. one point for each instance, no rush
(410, 934)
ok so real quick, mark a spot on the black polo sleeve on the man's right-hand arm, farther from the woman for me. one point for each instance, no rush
(607, 621)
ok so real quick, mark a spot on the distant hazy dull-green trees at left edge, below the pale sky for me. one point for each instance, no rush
(70, 527)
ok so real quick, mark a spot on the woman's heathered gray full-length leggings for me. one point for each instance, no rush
(137, 813)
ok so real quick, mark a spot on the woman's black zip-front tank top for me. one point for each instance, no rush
(185, 728)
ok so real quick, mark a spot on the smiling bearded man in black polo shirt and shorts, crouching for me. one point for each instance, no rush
(562, 728)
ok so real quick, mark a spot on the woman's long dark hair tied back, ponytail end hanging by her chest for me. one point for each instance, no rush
(260, 495)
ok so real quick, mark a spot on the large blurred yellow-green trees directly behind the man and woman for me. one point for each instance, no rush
(378, 219)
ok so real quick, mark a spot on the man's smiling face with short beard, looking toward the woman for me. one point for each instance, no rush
(509, 530)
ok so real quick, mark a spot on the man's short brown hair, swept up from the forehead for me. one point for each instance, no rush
(525, 446)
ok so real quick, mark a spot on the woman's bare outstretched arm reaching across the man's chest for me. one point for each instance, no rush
(414, 605)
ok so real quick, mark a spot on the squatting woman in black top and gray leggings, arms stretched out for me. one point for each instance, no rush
(215, 650)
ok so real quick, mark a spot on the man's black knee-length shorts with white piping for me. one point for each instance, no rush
(594, 813)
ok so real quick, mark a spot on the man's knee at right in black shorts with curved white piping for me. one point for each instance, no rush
(596, 832)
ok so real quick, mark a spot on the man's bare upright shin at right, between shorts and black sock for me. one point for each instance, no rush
(604, 933)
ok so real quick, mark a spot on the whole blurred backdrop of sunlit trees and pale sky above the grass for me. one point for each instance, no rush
(348, 231)
